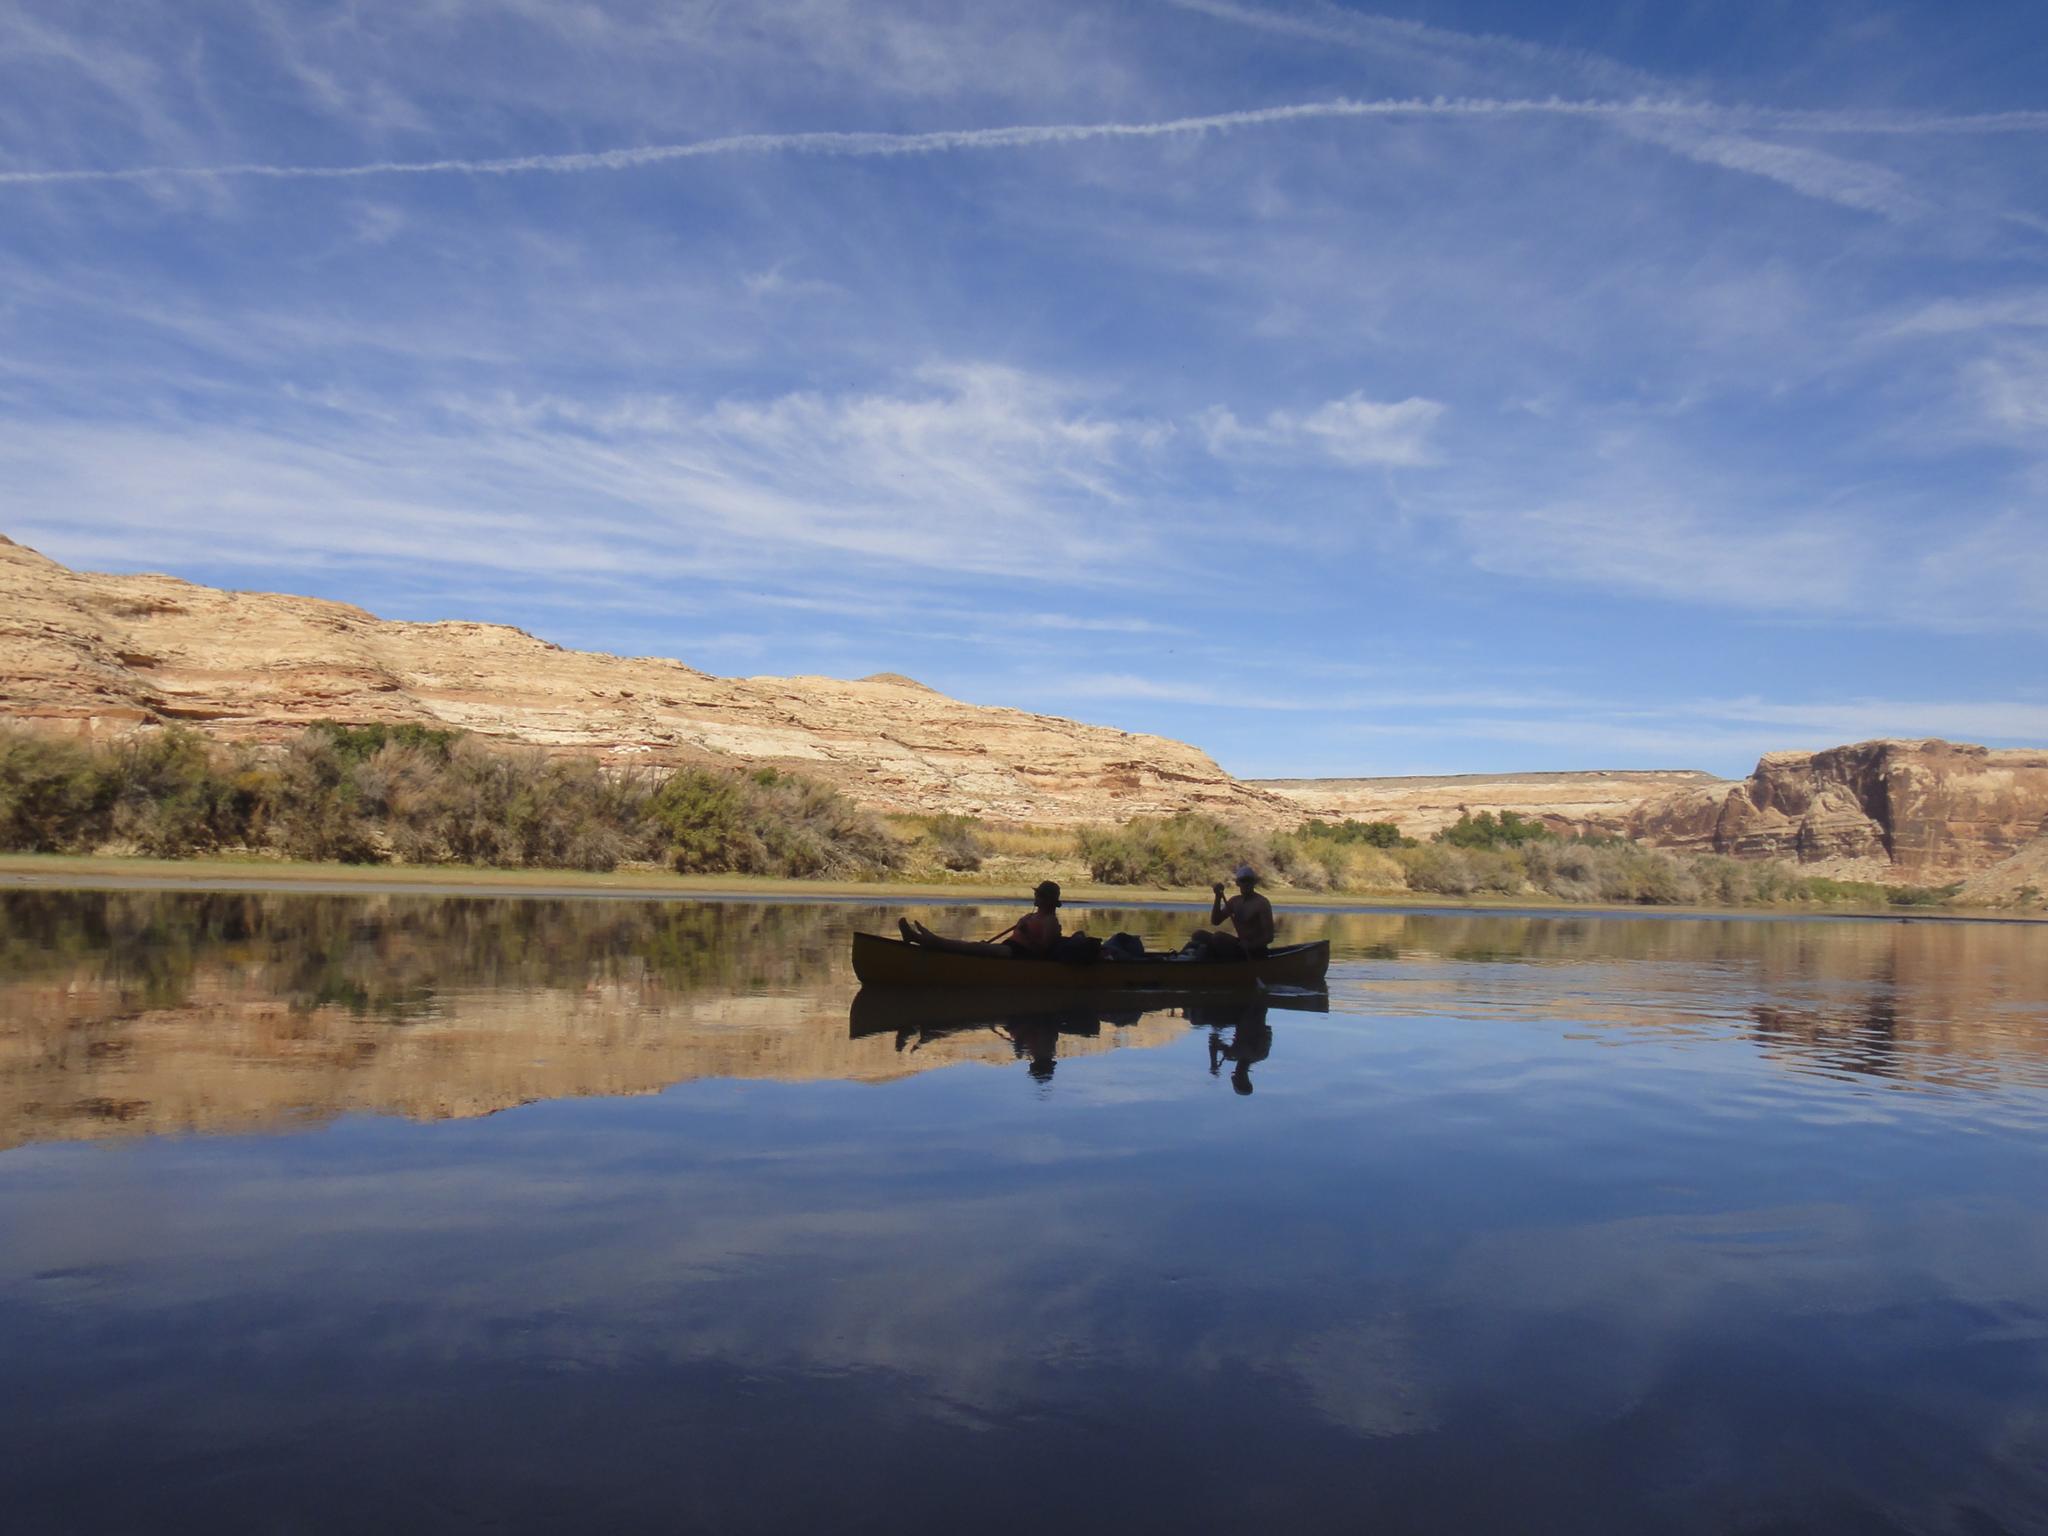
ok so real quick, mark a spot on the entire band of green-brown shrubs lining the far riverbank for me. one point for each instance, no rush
(419, 796)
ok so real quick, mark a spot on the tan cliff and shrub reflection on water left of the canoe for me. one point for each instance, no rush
(155, 1015)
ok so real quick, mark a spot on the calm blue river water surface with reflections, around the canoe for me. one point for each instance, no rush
(396, 1213)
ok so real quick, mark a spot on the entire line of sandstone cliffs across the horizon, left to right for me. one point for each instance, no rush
(112, 654)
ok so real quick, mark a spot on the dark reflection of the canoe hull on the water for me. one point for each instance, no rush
(898, 1011)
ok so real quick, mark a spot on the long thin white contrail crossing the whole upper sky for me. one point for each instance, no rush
(1060, 134)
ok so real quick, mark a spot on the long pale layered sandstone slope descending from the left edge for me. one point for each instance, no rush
(105, 654)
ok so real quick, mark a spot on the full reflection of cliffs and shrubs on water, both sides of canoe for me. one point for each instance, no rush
(136, 1013)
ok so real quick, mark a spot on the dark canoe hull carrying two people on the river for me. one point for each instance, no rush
(894, 964)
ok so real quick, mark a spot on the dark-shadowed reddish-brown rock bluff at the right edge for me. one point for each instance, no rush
(1922, 810)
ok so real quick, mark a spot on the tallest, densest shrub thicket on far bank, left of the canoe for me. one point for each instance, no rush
(415, 796)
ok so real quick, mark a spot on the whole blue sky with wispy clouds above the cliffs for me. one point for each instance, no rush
(1461, 388)
